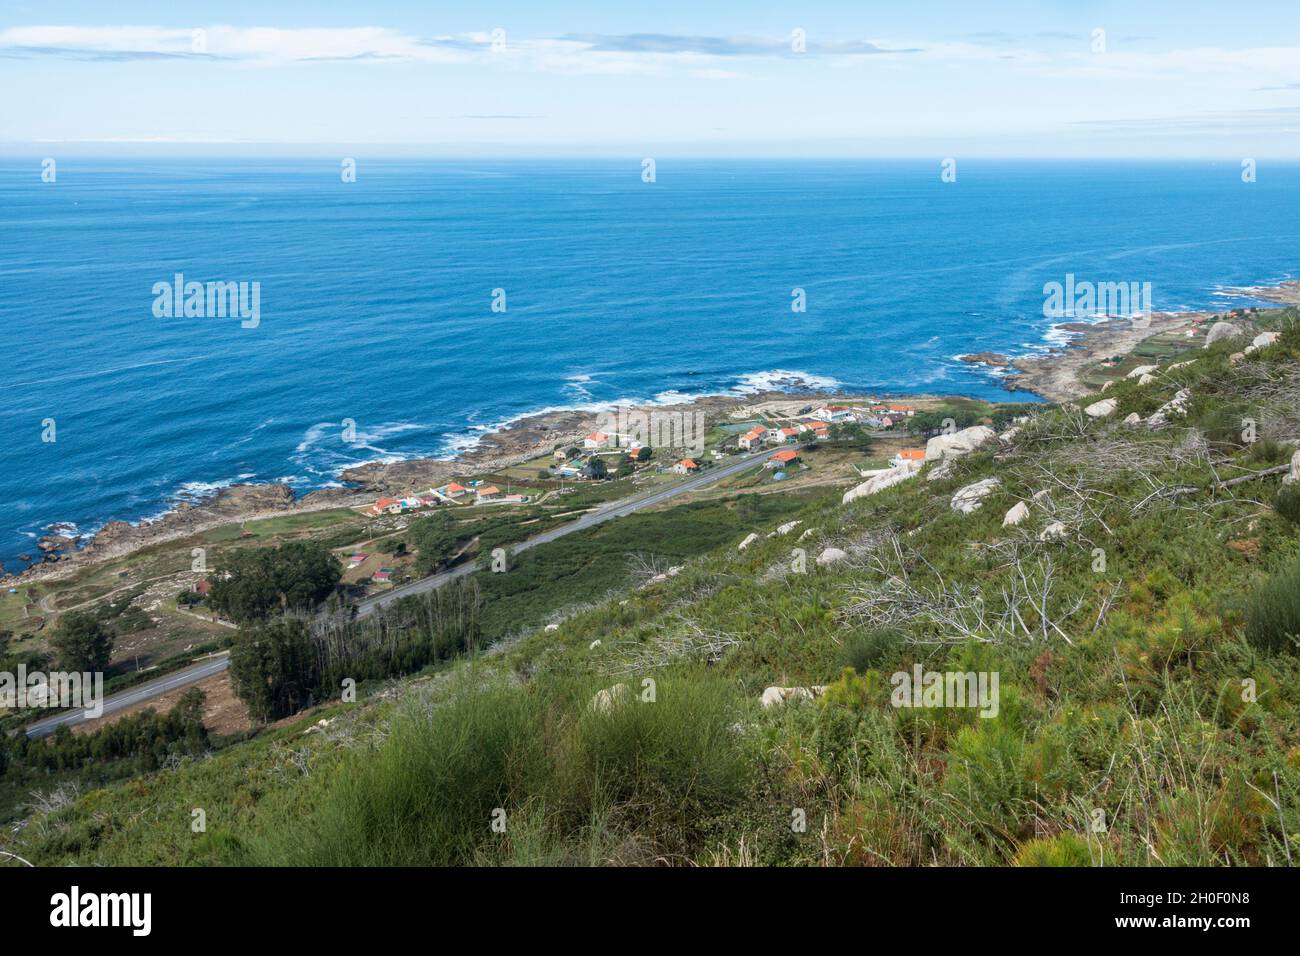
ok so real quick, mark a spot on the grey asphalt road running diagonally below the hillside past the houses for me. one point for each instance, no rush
(197, 673)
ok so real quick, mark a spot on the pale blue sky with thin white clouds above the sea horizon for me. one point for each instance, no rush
(1085, 79)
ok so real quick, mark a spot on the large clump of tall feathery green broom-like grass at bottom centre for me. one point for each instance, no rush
(567, 784)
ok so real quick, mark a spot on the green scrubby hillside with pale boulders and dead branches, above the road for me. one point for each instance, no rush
(1141, 622)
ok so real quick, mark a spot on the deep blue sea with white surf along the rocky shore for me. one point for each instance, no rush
(376, 299)
